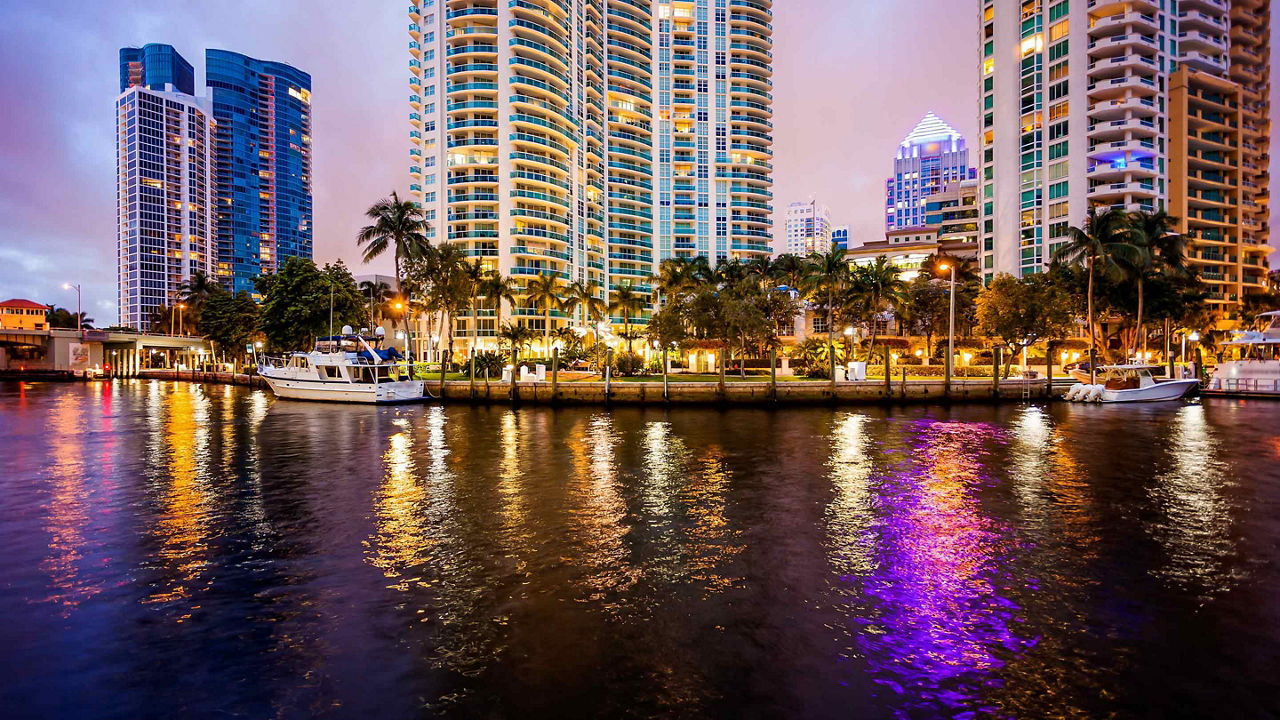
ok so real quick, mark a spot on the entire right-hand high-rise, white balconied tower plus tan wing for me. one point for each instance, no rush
(1081, 106)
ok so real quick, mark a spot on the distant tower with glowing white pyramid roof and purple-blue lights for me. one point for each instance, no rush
(930, 158)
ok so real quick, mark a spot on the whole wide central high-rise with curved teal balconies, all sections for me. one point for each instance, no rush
(591, 139)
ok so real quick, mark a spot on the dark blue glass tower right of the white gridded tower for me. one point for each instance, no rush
(264, 165)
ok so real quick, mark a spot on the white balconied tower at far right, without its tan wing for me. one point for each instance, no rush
(1075, 112)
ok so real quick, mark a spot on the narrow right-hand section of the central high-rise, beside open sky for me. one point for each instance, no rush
(715, 133)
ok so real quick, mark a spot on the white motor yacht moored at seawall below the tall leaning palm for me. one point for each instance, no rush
(348, 368)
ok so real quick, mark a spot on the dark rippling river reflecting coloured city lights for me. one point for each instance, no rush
(204, 552)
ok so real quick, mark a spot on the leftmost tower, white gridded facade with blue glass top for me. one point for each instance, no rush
(164, 183)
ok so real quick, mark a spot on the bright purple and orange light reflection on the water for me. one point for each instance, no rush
(943, 622)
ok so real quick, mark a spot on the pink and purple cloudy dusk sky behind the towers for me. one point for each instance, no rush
(852, 79)
